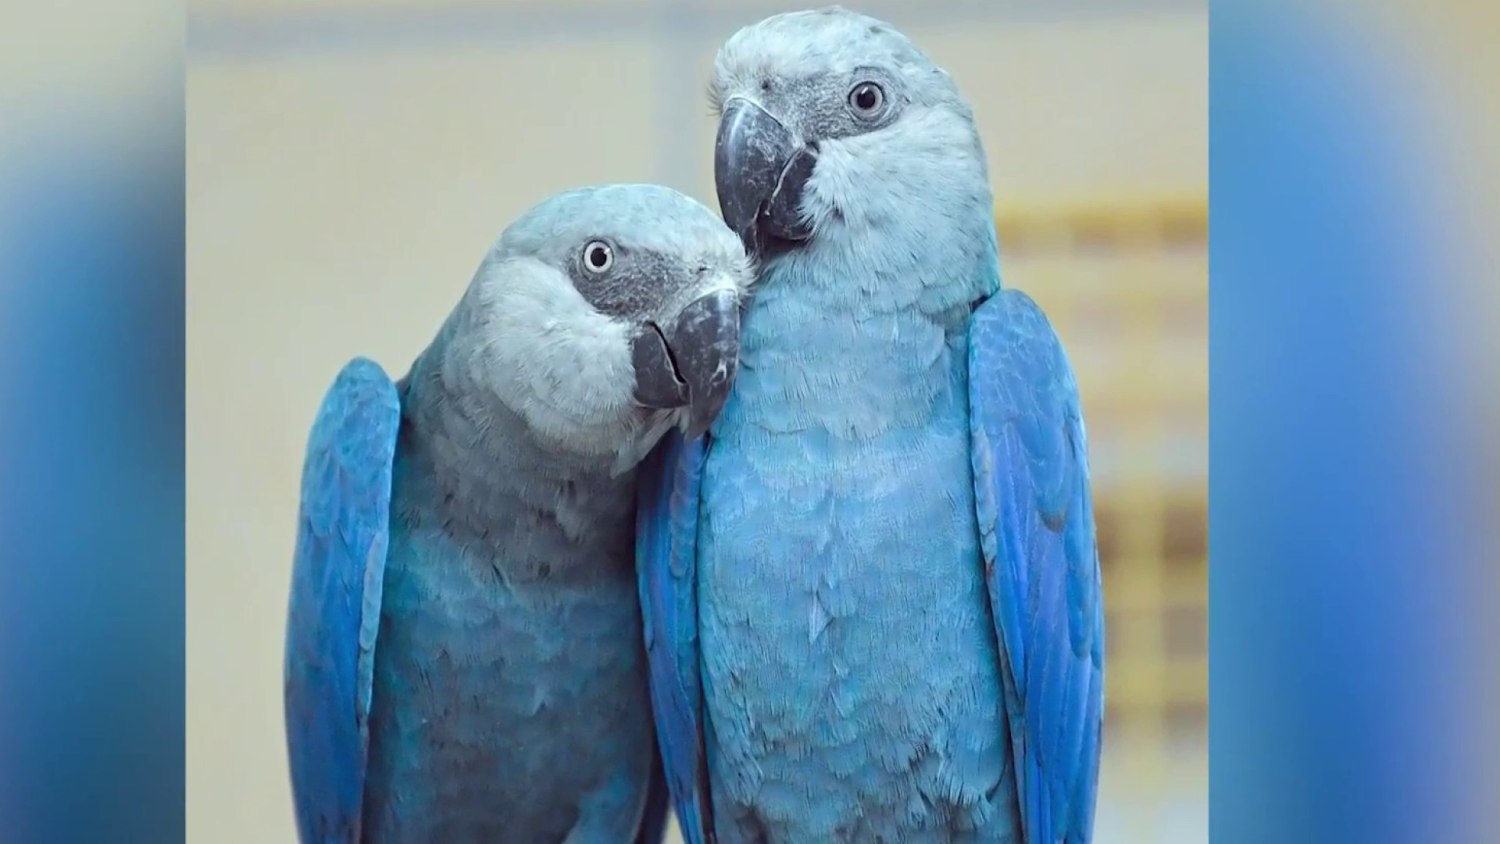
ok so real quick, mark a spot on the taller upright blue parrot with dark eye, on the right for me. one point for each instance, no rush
(872, 593)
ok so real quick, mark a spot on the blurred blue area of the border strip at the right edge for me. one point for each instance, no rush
(1351, 569)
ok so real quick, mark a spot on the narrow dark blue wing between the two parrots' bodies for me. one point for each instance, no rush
(667, 555)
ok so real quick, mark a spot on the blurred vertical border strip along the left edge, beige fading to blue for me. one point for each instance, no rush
(92, 323)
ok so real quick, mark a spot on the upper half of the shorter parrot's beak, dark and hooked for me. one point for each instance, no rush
(706, 347)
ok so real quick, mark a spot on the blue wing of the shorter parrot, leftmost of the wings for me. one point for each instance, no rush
(335, 600)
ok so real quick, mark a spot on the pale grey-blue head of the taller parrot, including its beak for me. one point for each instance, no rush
(836, 131)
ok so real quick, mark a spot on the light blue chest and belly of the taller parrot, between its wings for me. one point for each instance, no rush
(848, 644)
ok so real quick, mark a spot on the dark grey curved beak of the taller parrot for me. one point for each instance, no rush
(760, 173)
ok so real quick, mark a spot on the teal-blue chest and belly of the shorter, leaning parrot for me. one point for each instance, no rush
(511, 696)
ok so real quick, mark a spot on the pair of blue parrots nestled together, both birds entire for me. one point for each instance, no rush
(782, 524)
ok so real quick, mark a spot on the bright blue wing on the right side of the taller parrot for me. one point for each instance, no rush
(1031, 474)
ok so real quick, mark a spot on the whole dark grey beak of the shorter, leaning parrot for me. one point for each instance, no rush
(694, 365)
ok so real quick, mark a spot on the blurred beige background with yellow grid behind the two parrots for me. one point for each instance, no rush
(349, 163)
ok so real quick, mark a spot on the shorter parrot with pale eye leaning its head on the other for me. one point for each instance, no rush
(464, 648)
